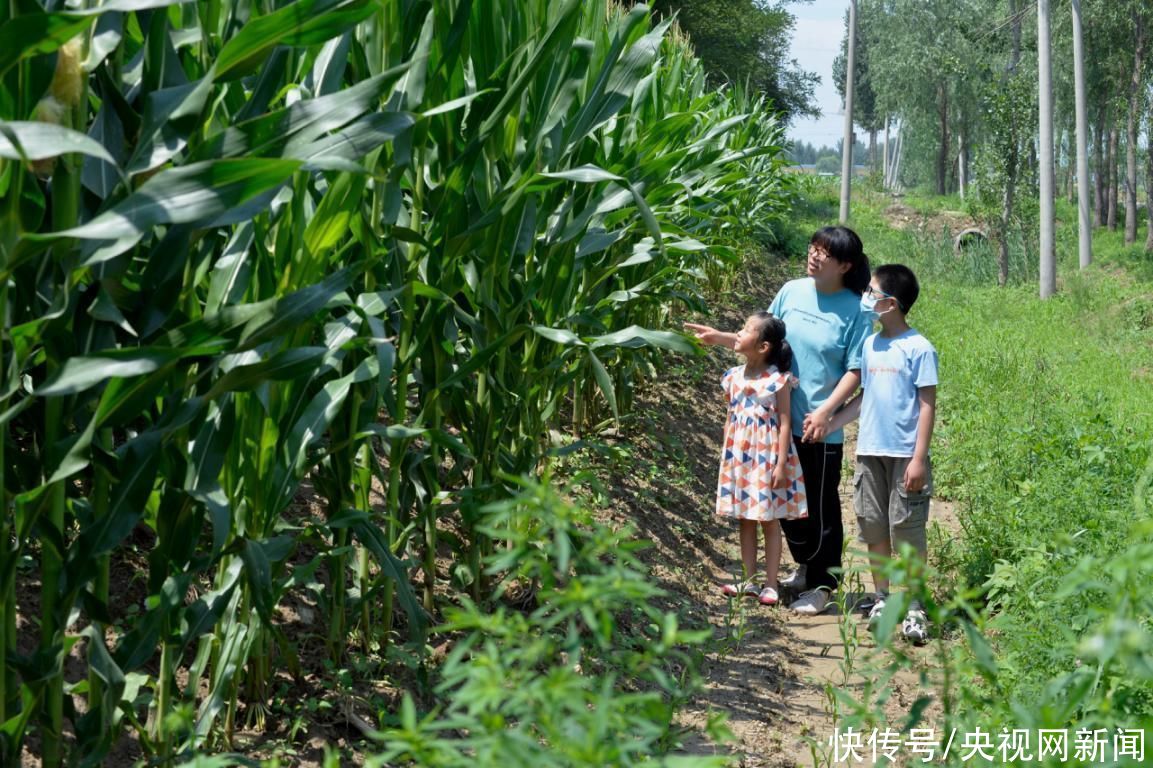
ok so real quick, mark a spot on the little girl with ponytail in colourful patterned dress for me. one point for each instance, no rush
(760, 480)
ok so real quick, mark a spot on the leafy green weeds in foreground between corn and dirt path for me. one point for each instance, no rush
(590, 673)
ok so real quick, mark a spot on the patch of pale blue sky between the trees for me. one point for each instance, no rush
(816, 43)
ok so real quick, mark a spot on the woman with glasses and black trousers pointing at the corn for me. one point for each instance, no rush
(826, 330)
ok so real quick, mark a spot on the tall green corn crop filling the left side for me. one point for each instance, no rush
(363, 254)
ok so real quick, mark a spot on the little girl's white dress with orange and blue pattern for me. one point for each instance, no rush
(750, 451)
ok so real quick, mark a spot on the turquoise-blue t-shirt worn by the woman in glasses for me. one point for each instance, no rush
(826, 333)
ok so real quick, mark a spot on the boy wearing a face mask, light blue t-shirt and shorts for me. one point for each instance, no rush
(898, 408)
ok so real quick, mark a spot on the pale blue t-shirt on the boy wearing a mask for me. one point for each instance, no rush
(893, 370)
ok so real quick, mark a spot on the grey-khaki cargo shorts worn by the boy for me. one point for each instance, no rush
(886, 511)
